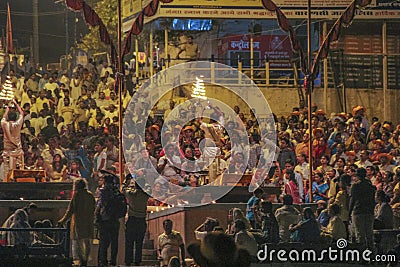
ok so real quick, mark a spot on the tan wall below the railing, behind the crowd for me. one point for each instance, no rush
(282, 100)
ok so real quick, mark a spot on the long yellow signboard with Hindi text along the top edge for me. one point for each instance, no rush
(253, 9)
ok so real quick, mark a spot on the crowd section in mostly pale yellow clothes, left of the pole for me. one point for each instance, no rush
(64, 118)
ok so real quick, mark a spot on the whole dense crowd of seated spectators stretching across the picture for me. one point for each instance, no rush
(69, 129)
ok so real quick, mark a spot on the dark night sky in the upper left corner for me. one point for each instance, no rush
(52, 37)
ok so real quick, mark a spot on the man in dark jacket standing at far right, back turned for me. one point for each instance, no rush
(362, 204)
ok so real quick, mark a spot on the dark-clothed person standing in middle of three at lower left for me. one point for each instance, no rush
(108, 224)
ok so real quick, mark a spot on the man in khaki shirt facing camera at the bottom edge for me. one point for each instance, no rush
(170, 243)
